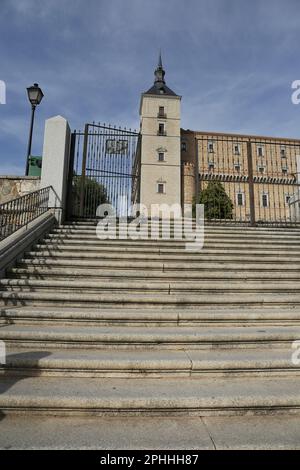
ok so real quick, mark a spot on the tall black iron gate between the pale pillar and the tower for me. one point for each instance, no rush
(104, 167)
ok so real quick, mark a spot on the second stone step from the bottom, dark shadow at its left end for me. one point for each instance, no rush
(149, 363)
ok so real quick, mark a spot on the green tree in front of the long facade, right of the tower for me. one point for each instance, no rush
(217, 203)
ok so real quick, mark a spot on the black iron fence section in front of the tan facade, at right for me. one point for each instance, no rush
(250, 181)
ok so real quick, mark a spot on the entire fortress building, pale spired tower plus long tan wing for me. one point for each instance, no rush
(259, 174)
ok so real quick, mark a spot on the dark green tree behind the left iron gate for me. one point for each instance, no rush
(94, 194)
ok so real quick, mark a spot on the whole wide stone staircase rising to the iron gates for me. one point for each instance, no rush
(146, 327)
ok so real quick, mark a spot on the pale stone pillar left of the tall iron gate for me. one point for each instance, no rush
(55, 168)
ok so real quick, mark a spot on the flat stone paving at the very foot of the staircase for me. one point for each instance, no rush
(272, 432)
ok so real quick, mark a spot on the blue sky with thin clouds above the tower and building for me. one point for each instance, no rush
(233, 62)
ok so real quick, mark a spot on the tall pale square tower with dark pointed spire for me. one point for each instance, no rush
(160, 145)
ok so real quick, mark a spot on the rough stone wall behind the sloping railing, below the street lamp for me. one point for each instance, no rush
(12, 187)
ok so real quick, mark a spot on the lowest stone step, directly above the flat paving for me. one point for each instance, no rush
(199, 396)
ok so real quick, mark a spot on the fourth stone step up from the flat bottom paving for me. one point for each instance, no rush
(198, 316)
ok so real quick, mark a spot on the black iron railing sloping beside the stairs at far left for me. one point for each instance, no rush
(19, 212)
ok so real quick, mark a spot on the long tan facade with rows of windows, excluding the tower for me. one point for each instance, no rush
(227, 158)
